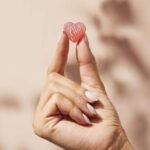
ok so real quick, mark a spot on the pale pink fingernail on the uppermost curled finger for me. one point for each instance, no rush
(92, 96)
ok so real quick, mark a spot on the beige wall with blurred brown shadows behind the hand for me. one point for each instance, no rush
(119, 34)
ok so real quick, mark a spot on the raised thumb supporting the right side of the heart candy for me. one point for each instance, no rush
(87, 65)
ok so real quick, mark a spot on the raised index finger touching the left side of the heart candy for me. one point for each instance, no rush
(60, 57)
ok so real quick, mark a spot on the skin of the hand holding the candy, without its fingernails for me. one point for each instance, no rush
(59, 114)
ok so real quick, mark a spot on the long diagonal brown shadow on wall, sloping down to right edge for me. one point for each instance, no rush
(124, 49)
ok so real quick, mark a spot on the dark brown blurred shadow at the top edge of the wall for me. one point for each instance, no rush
(119, 10)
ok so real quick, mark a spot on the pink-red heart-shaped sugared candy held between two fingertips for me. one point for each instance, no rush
(74, 31)
